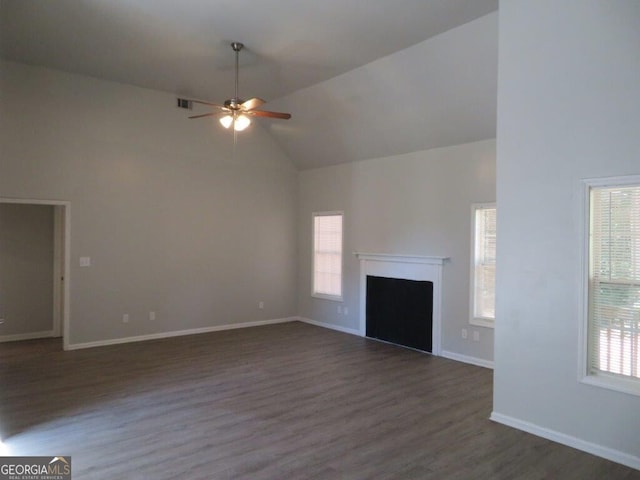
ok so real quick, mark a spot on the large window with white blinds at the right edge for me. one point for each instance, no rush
(613, 323)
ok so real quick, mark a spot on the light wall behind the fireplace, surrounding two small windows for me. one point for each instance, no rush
(418, 203)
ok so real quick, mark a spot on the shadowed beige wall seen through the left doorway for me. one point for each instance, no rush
(26, 269)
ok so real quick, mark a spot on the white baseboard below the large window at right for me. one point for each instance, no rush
(593, 448)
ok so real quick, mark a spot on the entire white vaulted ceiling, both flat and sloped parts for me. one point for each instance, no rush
(362, 78)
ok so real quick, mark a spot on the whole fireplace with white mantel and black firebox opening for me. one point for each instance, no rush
(425, 276)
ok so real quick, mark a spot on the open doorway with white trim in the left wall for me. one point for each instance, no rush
(34, 253)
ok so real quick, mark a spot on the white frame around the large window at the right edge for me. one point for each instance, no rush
(610, 381)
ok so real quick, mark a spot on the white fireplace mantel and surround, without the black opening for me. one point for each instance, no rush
(408, 267)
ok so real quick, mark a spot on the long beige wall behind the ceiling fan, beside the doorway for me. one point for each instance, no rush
(172, 221)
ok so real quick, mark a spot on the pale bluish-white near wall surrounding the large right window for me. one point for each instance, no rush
(568, 109)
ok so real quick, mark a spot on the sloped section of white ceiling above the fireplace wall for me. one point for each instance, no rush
(438, 93)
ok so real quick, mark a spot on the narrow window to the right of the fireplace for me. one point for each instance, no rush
(483, 267)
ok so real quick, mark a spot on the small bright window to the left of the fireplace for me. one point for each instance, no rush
(327, 255)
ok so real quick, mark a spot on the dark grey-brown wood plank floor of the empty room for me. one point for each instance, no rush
(289, 401)
